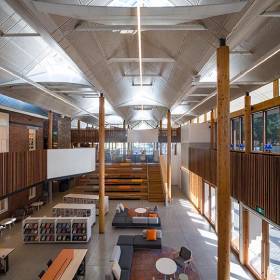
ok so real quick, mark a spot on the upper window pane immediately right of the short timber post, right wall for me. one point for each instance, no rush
(258, 130)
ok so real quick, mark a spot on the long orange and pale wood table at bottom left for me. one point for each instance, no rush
(66, 265)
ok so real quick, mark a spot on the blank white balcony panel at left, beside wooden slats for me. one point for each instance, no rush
(66, 162)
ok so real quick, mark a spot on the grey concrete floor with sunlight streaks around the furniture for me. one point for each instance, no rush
(181, 225)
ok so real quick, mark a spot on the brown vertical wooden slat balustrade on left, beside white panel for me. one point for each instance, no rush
(19, 170)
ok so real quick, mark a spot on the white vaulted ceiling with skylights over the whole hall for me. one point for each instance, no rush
(76, 61)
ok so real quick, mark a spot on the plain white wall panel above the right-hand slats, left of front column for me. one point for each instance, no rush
(195, 133)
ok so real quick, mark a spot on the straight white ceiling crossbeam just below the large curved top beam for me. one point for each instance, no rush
(92, 27)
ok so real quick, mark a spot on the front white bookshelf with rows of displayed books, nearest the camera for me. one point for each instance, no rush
(56, 230)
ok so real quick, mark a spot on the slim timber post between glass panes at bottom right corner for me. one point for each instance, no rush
(265, 249)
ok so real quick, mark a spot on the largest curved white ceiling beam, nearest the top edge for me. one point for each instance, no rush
(128, 15)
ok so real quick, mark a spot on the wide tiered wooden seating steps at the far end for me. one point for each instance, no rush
(122, 181)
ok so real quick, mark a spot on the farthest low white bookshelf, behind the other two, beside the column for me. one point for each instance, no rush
(86, 199)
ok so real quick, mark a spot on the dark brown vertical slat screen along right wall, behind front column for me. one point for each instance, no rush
(255, 178)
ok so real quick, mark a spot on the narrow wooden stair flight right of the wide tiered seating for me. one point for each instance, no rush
(155, 193)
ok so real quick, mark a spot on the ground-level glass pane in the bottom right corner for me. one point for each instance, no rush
(274, 253)
